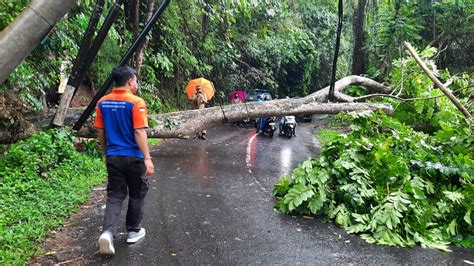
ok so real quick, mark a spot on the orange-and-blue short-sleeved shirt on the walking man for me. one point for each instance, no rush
(119, 113)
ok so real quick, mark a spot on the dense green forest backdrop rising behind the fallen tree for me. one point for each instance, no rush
(284, 46)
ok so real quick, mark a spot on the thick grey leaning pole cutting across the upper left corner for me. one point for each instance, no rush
(27, 30)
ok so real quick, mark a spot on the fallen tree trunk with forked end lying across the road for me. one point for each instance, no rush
(186, 123)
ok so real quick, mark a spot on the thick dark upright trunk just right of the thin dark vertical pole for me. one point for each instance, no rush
(359, 64)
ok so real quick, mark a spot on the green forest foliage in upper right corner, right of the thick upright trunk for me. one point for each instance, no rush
(443, 24)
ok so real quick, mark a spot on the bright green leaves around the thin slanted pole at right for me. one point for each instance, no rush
(434, 109)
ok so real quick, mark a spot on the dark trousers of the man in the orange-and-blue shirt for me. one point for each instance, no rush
(126, 174)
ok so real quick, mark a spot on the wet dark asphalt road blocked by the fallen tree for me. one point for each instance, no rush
(210, 203)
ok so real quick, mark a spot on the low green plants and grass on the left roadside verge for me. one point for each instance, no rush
(43, 180)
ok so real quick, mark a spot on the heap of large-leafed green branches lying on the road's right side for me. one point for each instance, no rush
(389, 183)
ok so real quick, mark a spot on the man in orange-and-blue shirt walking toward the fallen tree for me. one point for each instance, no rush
(121, 121)
